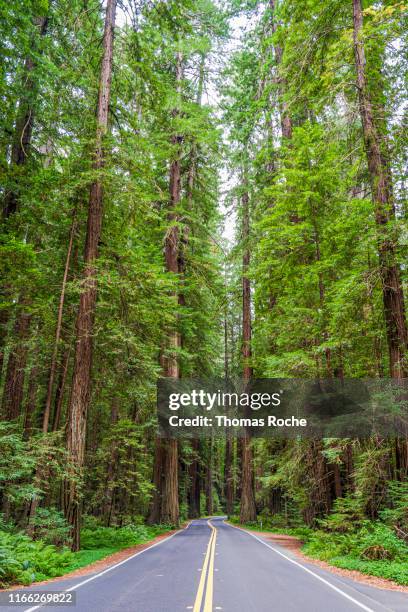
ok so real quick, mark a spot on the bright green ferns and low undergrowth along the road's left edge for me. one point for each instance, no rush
(23, 560)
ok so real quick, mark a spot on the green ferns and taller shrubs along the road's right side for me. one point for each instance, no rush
(348, 540)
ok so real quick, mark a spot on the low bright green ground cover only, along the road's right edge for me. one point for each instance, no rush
(372, 549)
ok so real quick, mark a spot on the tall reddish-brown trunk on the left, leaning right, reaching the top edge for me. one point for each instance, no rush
(81, 379)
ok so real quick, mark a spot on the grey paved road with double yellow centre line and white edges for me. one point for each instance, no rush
(214, 566)
